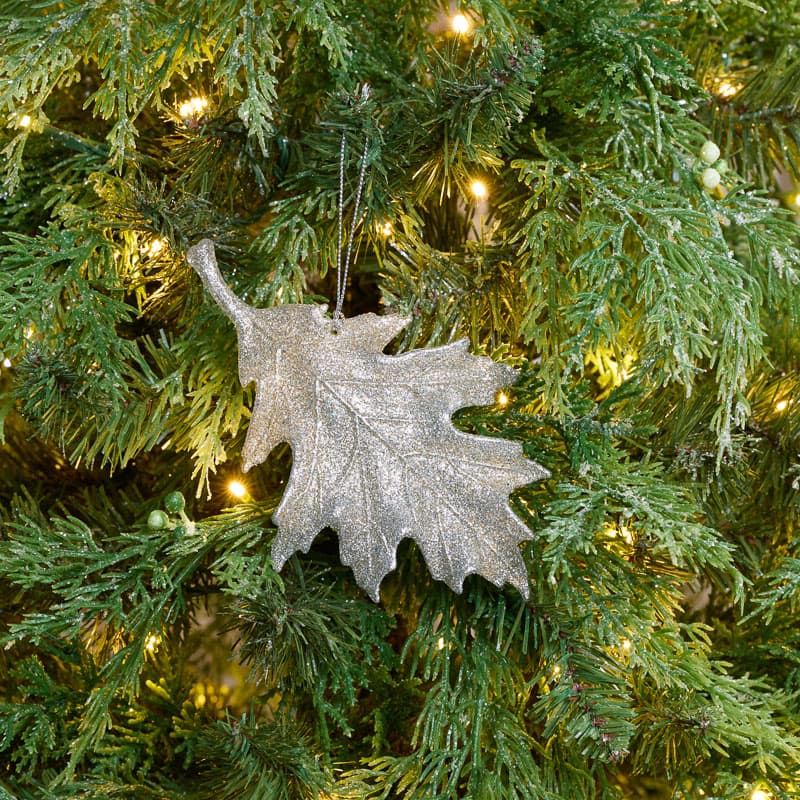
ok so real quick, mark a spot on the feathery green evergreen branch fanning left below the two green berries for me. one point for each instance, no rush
(122, 588)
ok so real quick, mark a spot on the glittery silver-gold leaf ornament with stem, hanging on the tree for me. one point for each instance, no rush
(375, 455)
